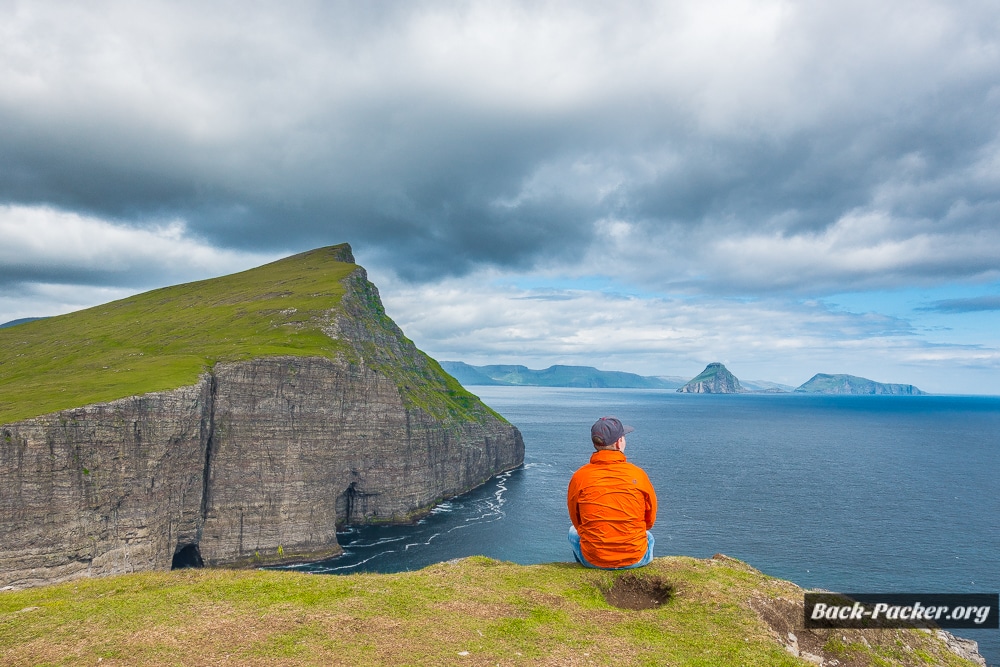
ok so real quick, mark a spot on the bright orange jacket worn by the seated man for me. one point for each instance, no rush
(612, 504)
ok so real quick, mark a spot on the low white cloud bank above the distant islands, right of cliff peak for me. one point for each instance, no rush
(482, 318)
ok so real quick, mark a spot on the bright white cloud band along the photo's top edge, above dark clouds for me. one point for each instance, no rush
(214, 73)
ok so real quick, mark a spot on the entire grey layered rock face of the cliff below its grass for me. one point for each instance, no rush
(259, 455)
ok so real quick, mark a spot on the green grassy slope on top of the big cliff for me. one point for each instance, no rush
(166, 338)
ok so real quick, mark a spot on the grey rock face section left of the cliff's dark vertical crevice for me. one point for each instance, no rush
(104, 488)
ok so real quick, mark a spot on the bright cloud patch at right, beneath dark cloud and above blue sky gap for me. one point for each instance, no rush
(865, 249)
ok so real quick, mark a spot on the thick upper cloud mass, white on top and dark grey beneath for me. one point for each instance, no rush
(440, 137)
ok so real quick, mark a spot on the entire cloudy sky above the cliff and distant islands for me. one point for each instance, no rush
(786, 187)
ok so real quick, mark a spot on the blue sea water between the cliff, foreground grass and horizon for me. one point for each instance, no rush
(845, 493)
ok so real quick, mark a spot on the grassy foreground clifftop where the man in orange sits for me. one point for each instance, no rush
(475, 611)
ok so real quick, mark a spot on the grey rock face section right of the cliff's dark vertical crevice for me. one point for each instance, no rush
(349, 453)
